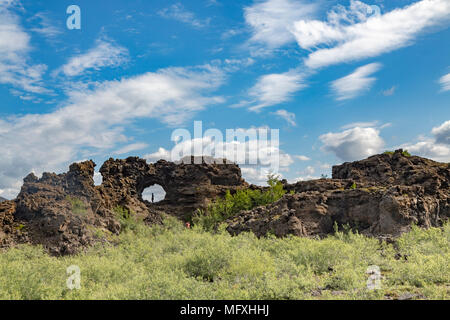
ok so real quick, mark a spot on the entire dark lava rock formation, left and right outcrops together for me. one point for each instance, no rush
(381, 195)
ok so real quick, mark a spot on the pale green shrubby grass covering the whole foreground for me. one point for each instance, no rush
(173, 262)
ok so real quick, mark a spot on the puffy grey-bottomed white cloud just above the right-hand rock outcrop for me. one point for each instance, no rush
(353, 144)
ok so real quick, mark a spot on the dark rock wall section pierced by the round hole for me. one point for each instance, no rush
(187, 186)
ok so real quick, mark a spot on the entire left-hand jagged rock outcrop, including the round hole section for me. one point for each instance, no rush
(64, 212)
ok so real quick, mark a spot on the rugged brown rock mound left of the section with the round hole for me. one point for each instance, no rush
(63, 211)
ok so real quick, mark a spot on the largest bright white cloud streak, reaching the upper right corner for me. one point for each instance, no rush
(360, 32)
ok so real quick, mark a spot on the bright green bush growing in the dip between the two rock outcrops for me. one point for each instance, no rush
(245, 199)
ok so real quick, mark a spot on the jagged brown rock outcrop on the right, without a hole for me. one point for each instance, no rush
(381, 195)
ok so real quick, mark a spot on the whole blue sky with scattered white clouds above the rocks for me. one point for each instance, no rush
(341, 80)
